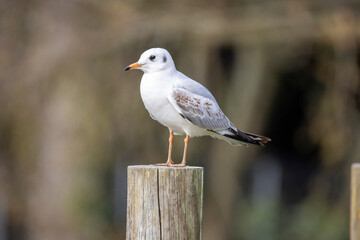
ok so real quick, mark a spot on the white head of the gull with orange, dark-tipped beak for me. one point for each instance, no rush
(153, 60)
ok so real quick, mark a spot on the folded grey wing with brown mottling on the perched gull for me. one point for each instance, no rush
(200, 110)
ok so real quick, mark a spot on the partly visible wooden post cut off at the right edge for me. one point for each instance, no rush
(355, 202)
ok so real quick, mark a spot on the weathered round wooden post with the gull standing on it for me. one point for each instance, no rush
(164, 203)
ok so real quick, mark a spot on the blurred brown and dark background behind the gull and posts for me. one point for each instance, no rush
(72, 120)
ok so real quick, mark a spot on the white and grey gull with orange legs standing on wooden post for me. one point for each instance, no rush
(183, 105)
